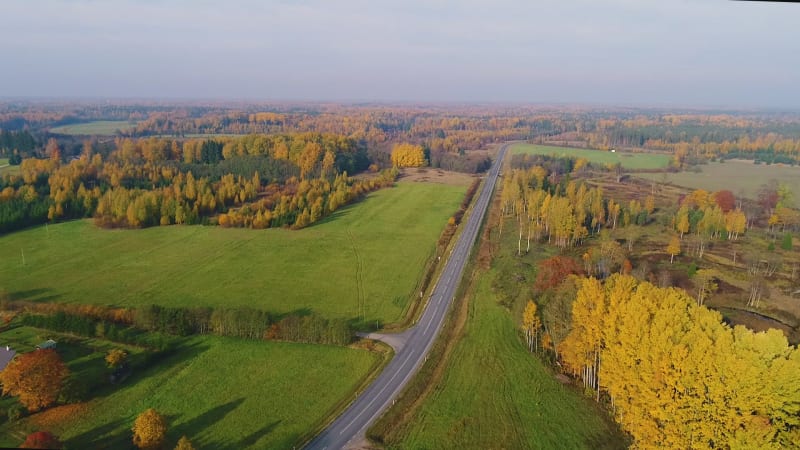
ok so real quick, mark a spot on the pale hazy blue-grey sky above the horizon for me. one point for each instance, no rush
(617, 52)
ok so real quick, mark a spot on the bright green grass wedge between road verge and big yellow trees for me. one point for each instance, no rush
(495, 394)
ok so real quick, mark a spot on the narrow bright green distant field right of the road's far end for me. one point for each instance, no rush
(628, 160)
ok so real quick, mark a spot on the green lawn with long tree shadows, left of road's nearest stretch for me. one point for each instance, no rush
(220, 392)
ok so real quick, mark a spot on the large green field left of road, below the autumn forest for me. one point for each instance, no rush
(367, 257)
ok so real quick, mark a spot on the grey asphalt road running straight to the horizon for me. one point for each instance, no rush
(379, 395)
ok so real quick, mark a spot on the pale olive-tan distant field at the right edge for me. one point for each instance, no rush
(743, 178)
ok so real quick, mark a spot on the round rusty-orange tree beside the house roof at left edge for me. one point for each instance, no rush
(36, 377)
